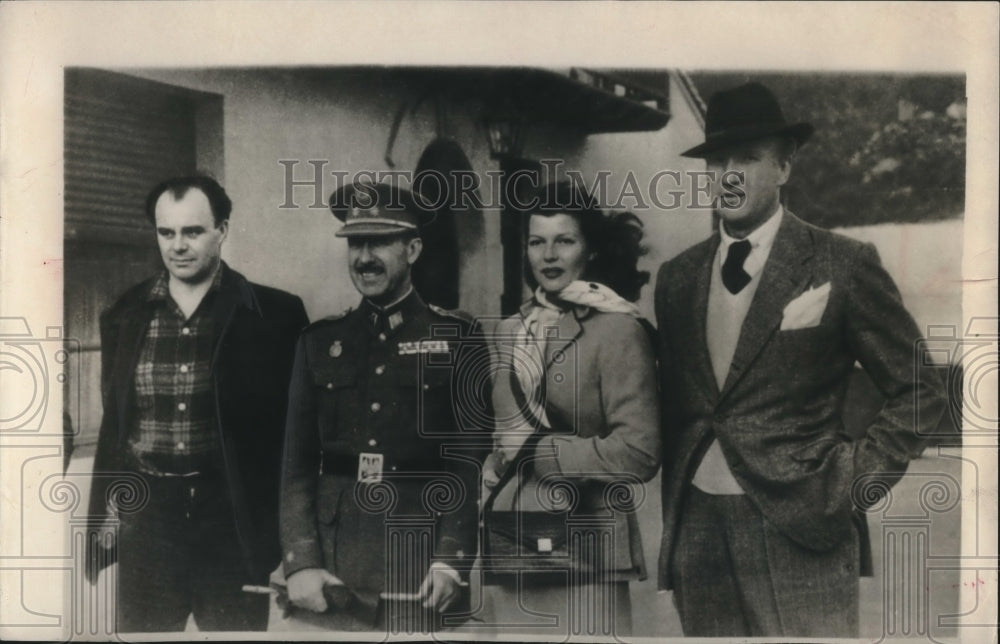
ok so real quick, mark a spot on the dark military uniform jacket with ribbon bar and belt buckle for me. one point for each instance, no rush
(399, 385)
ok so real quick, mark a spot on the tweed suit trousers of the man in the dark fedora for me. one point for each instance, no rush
(735, 575)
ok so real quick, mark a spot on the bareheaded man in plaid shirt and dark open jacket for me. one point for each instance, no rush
(195, 369)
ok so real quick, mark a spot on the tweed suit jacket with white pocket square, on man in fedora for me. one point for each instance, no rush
(777, 416)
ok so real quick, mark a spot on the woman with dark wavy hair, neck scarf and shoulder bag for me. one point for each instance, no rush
(577, 427)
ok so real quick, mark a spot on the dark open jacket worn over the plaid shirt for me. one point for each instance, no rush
(254, 332)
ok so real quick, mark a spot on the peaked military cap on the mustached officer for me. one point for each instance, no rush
(378, 209)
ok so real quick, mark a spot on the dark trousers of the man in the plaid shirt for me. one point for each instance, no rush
(179, 555)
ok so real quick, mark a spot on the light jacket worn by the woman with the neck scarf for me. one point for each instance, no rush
(601, 382)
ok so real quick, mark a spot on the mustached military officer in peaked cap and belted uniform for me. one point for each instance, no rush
(380, 437)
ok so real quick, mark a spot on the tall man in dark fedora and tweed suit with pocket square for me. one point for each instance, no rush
(760, 327)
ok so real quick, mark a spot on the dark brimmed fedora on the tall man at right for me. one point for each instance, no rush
(742, 114)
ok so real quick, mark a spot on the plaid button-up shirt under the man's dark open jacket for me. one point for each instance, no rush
(175, 406)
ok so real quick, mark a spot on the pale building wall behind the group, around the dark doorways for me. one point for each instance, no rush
(344, 116)
